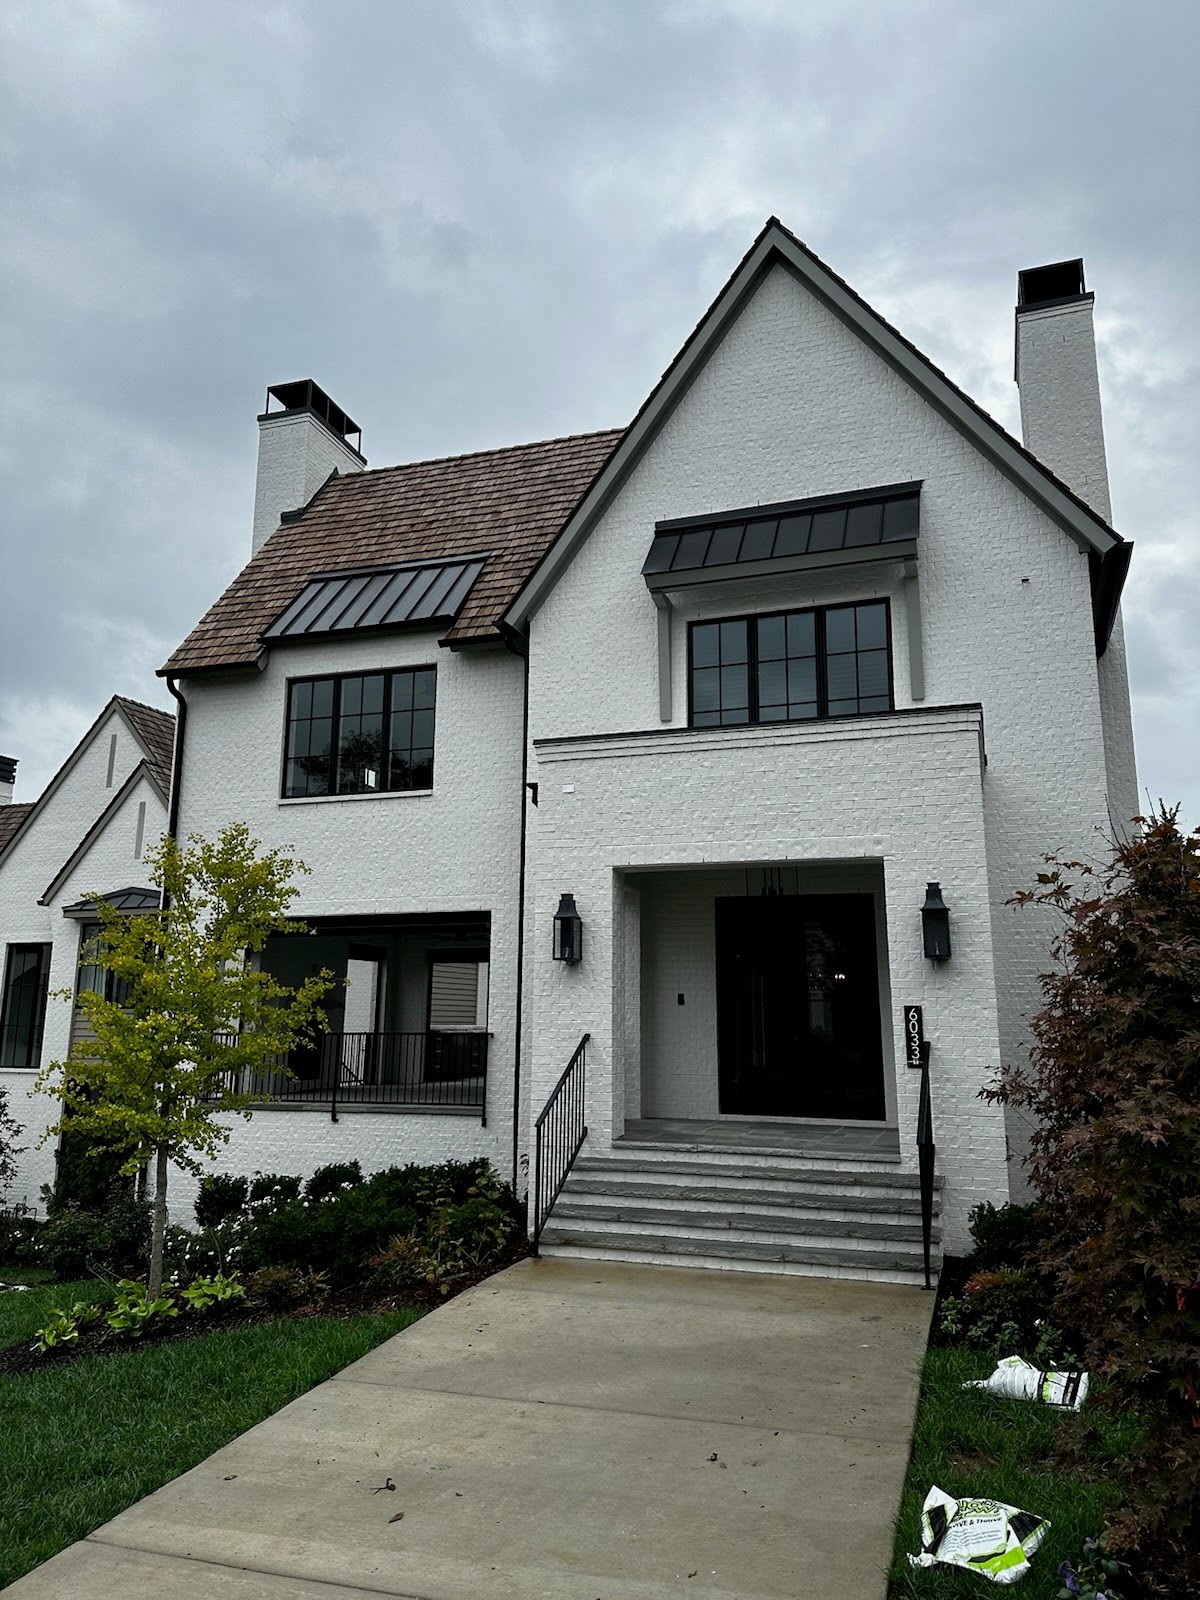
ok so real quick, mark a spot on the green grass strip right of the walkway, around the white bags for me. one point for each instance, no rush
(974, 1444)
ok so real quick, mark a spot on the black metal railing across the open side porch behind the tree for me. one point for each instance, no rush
(431, 1070)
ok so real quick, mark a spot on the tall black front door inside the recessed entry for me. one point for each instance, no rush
(798, 1007)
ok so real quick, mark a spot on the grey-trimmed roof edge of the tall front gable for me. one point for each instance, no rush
(775, 247)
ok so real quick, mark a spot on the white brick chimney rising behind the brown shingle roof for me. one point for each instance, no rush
(298, 447)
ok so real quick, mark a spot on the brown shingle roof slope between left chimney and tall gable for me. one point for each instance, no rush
(508, 503)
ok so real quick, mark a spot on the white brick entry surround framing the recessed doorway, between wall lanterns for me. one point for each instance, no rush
(777, 794)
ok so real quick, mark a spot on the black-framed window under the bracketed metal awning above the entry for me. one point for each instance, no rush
(791, 666)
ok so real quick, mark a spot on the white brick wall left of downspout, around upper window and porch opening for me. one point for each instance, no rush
(454, 850)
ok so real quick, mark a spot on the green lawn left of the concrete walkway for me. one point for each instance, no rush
(86, 1441)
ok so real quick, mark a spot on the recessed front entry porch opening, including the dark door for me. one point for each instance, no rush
(762, 996)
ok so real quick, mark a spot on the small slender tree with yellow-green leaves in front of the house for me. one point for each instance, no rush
(199, 1026)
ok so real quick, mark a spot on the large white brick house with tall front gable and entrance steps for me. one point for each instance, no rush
(742, 684)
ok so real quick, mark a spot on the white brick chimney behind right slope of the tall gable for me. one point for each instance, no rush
(1057, 378)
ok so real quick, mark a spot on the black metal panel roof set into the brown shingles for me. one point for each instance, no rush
(378, 598)
